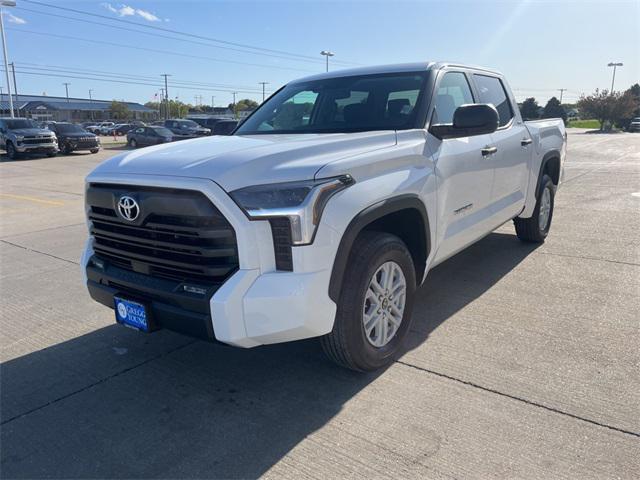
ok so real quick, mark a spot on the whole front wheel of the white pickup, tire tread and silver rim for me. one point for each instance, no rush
(349, 344)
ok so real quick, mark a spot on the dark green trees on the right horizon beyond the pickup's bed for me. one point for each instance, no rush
(609, 109)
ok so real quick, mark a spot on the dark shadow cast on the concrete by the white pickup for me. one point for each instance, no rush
(186, 409)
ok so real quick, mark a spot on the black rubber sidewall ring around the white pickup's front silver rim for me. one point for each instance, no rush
(350, 310)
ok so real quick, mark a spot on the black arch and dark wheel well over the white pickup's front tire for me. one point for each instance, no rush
(393, 215)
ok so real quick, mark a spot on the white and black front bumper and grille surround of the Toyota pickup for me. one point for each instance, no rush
(256, 305)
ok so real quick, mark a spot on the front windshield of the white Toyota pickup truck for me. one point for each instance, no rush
(344, 104)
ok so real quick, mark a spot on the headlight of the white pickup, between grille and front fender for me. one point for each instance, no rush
(301, 202)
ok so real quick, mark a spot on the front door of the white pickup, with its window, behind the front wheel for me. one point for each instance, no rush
(463, 173)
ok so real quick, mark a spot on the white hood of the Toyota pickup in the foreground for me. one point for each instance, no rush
(239, 161)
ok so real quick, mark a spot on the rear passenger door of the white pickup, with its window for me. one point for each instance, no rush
(511, 161)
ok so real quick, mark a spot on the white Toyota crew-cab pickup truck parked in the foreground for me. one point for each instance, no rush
(324, 211)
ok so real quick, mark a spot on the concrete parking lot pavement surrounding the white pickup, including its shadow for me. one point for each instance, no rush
(523, 362)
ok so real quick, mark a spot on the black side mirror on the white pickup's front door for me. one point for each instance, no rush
(468, 120)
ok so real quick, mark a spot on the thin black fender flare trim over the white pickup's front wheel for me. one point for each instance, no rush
(362, 220)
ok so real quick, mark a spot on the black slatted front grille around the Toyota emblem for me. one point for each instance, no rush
(179, 234)
